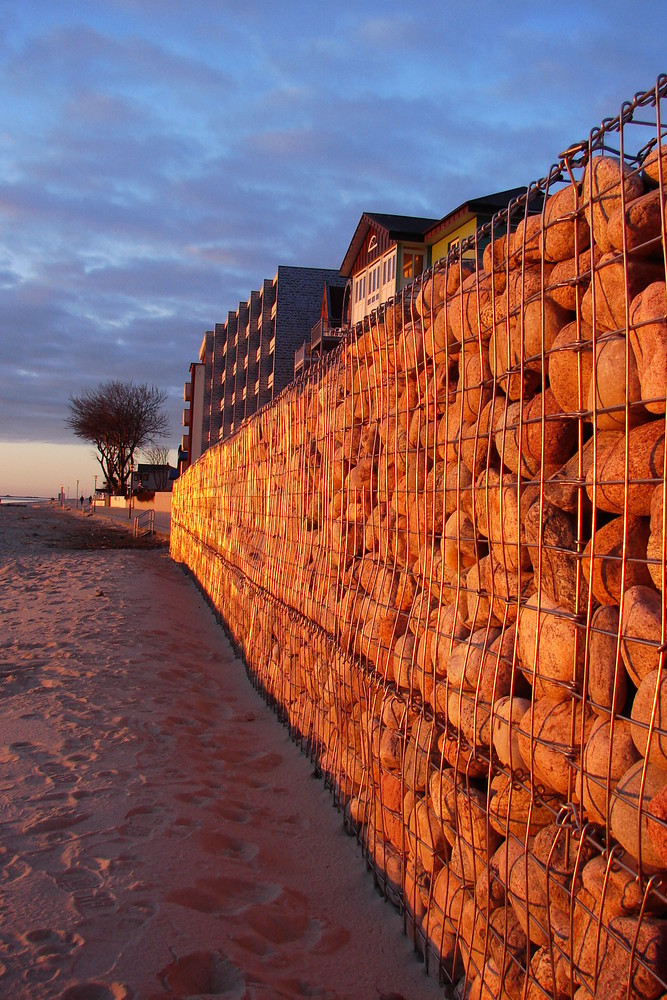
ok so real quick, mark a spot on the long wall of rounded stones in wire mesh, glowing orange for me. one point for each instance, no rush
(442, 553)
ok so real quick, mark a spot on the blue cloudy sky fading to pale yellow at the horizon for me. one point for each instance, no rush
(157, 160)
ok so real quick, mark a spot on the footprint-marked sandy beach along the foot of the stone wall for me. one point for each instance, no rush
(161, 836)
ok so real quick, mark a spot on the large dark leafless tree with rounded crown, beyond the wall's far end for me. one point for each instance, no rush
(119, 418)
